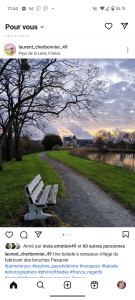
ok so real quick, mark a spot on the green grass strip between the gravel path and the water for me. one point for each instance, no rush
(118, 182)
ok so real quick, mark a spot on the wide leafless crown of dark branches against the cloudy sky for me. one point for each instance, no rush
(47, 88)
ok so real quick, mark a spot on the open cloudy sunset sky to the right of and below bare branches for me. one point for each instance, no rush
(118, 111)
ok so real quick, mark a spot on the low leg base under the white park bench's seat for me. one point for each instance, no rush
(36, 214)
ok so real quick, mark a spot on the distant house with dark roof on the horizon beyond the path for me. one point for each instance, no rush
(72, 141)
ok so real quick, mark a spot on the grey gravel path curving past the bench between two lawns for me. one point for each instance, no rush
(85, 204)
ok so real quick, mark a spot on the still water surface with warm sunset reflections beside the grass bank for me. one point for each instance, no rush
(123, 160)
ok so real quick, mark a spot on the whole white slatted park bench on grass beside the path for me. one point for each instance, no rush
(39, 198)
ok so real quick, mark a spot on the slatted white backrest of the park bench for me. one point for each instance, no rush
(34, 188)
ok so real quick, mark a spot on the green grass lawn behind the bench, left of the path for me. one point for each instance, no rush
(15, 176)
